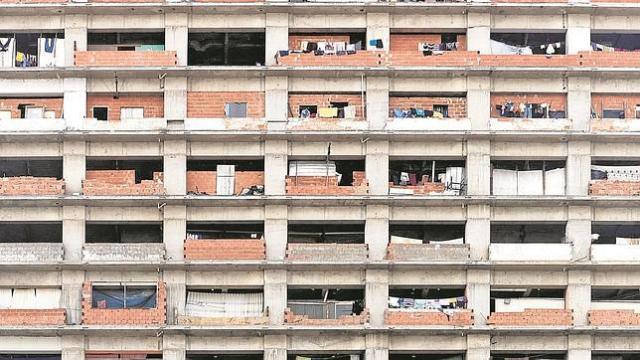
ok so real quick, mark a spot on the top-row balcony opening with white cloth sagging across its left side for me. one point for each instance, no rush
(528, 43)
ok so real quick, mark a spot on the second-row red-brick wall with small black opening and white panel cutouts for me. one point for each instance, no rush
(153, 104)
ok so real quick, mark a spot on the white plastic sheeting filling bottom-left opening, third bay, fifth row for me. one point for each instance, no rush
(224, 304)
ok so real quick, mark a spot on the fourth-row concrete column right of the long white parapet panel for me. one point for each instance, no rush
(578, 232)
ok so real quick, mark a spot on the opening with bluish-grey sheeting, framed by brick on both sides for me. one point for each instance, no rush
(124, 296)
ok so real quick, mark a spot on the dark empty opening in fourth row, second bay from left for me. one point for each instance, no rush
(123, 233)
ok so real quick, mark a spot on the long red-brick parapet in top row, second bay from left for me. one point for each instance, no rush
(126, 58)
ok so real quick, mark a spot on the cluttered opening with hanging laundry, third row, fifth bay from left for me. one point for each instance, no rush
(423, 177)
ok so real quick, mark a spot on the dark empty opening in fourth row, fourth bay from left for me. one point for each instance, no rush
(326, 233)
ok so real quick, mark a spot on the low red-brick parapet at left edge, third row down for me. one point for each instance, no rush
(30, 185)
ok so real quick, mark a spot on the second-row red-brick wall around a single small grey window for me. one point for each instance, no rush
(210, 104)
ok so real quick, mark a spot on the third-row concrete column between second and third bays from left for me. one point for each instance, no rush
(175, 167)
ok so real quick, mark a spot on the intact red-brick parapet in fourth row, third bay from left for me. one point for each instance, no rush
(225, 249)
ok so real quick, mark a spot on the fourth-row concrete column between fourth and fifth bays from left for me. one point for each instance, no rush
(376, 231)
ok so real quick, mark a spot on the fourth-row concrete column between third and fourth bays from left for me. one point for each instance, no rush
(275, 231)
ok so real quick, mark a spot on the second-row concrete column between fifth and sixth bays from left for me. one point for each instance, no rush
(479, 101)
